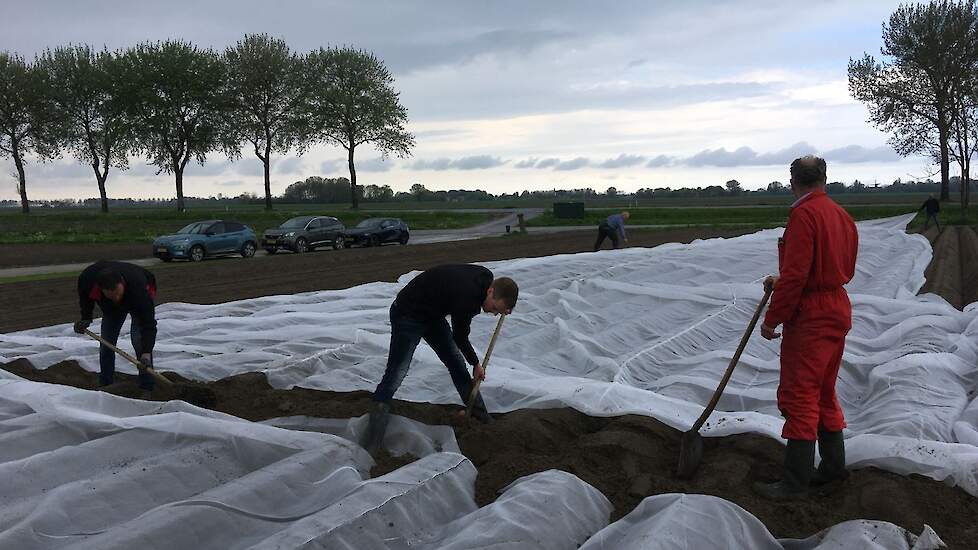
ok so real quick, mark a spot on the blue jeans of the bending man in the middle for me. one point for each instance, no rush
(406, 333)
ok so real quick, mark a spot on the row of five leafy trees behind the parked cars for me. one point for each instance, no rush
(172, 103)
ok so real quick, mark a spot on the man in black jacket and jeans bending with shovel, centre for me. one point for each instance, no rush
(418, 312)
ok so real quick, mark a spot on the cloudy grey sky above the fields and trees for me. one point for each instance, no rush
(513, 95)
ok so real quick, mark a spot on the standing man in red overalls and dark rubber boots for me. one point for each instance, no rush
(816, 257)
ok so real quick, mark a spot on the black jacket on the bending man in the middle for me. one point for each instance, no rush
(455, 290)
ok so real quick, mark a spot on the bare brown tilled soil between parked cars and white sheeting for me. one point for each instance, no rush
(33, 304)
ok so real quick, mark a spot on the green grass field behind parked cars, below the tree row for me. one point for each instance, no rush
(139, 225)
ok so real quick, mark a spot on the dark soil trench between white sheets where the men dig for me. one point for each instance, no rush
(627, 458)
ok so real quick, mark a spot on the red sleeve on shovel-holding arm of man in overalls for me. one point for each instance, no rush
(799, 252)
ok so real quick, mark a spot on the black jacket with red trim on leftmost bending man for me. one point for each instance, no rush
(137, 300)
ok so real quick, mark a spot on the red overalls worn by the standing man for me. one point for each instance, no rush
(816, 256)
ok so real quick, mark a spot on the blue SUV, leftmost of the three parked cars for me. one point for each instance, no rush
(207, 238)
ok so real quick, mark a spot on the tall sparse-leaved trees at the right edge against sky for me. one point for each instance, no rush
(924, 91)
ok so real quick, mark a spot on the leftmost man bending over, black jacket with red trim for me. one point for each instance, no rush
(120, 289)
